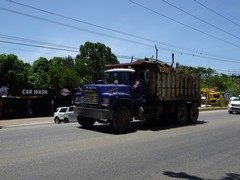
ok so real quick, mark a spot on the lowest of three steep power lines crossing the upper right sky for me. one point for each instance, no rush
(188, 26)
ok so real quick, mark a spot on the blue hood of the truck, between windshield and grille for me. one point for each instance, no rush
(109, 88)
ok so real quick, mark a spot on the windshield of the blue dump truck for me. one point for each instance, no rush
(121, 77)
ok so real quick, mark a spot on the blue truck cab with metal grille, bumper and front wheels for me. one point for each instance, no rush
(122, 90)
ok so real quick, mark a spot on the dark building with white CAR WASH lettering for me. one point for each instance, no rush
(28, 102)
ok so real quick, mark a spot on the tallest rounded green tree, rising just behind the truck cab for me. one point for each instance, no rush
(92, 59)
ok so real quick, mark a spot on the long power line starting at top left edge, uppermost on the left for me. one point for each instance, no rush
(115, 31)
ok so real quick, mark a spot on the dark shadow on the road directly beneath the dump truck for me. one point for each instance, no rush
(143, 126)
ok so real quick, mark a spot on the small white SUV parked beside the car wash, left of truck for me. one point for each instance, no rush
(64, 114)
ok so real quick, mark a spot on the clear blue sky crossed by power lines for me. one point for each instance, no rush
(200, 33)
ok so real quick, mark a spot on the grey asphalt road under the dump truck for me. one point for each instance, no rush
(208, 150)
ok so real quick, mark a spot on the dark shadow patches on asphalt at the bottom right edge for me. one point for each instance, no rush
(183, 175)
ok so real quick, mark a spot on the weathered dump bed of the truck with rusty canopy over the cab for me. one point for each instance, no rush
(165, 82)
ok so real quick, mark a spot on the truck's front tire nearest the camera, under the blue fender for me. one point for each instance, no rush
(121, 120)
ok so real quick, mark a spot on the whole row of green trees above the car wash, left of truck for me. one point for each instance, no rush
(57, 72)
